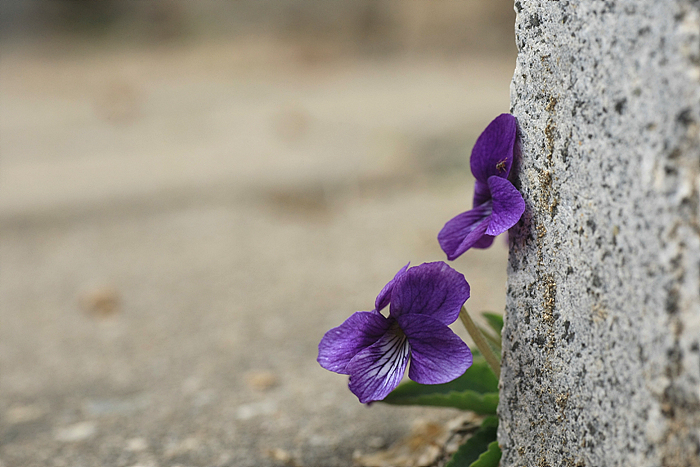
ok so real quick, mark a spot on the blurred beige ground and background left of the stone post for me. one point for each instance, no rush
(193, 191)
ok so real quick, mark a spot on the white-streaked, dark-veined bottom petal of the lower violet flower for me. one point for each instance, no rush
(378, 369)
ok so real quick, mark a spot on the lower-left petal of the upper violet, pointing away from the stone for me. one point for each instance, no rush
(464, 231)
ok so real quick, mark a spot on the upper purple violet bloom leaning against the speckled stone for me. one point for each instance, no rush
(498, 205)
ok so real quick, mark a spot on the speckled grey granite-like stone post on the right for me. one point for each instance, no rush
(601, 362)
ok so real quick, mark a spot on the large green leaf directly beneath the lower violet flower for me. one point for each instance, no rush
(475, 390)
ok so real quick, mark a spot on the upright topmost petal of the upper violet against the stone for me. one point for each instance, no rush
(493, 150)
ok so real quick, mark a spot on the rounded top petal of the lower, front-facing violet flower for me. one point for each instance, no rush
(431, 289)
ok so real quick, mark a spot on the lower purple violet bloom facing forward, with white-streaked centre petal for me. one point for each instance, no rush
(375, 350)
